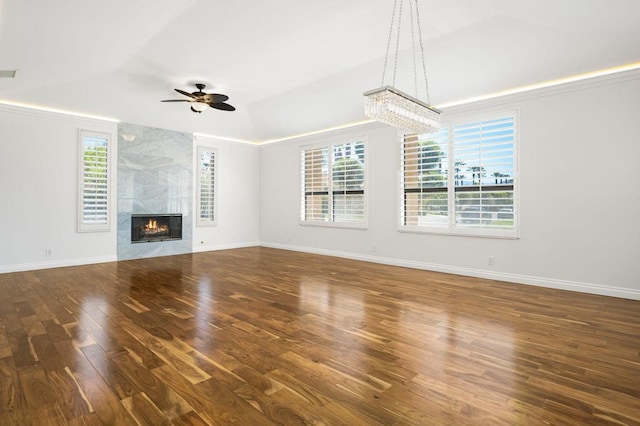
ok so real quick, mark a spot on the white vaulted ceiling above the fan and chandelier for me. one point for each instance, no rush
(290, 66)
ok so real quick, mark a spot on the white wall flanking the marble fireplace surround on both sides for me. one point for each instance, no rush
(38, 192)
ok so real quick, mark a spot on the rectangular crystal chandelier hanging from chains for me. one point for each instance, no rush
(392, 106)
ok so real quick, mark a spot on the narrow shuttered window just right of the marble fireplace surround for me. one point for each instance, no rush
(207, 214)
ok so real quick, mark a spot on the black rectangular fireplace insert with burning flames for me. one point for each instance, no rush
(147, 228)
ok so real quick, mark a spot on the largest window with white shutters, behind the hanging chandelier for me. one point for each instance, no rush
(462, 180)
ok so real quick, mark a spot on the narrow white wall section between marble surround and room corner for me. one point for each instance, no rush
(238, 190)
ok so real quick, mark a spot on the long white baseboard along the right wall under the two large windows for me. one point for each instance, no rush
(622, 292)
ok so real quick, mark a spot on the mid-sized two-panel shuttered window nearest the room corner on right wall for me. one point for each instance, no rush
(333, 182)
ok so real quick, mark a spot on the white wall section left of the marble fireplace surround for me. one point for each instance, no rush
(39, 191)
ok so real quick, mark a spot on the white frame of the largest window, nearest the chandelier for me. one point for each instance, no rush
(452, 228)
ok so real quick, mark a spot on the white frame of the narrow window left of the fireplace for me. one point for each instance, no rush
(83, 226)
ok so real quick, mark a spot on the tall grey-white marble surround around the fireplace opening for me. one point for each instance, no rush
(155, 177)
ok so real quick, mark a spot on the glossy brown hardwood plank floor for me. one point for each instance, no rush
(262, 336)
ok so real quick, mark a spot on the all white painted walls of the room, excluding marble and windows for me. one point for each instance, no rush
(579, 199)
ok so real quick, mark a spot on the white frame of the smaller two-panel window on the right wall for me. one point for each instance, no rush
(330, 145)
